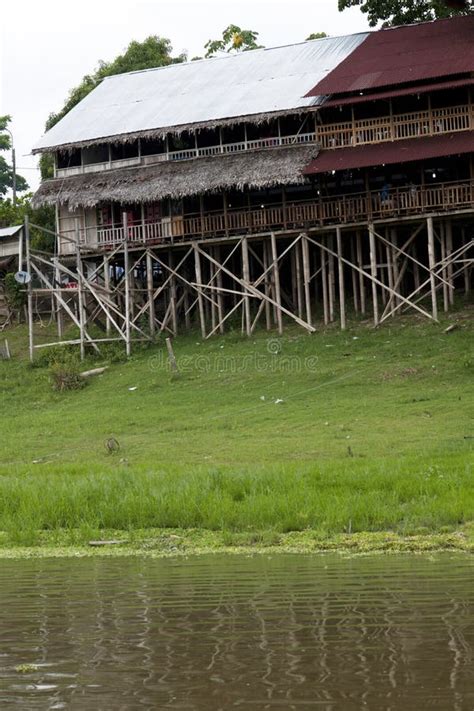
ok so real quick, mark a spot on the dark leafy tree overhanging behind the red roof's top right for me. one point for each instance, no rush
(403, 12)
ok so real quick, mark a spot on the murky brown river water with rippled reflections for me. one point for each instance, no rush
(225, 632)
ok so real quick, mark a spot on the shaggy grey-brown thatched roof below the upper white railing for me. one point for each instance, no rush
(253, 169)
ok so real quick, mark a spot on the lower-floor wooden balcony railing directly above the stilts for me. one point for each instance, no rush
(340, 209)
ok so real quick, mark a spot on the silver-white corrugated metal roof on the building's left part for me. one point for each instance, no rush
(254, 82)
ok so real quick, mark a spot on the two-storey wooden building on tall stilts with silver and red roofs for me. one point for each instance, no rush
(288, 183)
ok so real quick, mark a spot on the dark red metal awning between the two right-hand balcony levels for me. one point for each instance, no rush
(389, 153)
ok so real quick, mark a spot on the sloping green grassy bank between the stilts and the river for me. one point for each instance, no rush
(335, 437)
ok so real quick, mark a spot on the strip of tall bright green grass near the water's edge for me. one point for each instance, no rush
(331, 499)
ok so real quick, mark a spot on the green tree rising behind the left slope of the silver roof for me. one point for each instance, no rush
(154, 51)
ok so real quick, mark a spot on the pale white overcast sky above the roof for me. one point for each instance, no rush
(47, 46)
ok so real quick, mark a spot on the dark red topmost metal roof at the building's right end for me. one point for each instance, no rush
(404, 54)
